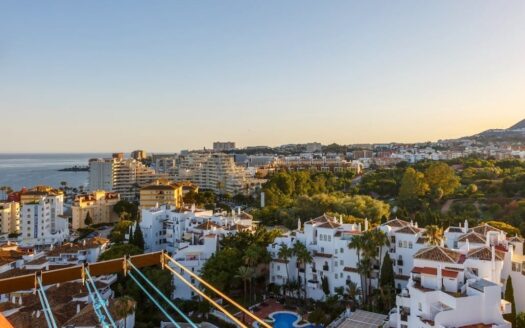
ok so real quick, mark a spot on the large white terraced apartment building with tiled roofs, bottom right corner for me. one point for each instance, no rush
(461, 283)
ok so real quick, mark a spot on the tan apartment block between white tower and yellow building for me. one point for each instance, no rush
(99, 204)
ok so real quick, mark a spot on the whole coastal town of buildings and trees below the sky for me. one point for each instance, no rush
(362, 235)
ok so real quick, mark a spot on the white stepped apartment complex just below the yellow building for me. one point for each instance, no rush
(191, 236)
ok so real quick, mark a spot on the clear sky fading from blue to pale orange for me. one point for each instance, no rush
(93, 76)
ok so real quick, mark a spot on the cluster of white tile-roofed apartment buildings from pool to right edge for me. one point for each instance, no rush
(459, 283)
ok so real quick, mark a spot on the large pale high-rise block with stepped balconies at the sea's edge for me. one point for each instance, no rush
(124, 176)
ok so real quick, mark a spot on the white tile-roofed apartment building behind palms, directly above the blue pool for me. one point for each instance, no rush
(327, 239)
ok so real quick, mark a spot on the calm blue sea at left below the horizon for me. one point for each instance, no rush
(27, 170)
